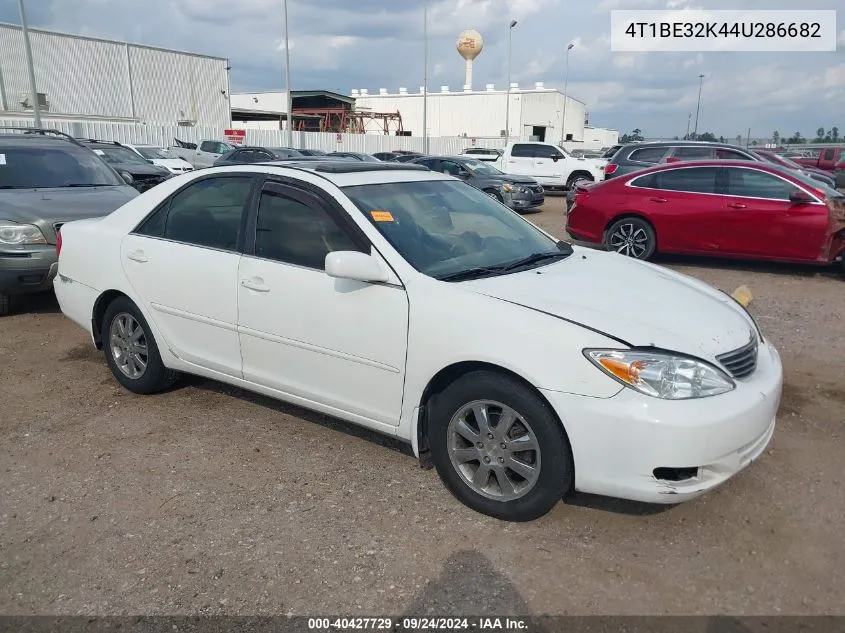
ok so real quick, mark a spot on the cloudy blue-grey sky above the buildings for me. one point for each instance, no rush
(339, 45)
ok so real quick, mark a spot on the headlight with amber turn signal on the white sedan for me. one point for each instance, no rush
(661, 374)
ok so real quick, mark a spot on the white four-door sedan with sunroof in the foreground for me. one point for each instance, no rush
(410, 303)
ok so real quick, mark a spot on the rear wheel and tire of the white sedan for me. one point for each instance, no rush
(131, 351)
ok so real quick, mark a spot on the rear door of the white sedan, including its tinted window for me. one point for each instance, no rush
(183, 264)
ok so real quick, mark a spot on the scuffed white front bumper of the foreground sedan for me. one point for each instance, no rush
(618, 443)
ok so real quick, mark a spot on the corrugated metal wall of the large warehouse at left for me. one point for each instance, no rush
(85, 77)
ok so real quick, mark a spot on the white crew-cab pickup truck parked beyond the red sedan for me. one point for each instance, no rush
(550, 165)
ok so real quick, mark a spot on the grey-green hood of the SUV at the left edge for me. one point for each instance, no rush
(62, 205)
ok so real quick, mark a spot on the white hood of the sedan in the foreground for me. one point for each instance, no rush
(637, 303)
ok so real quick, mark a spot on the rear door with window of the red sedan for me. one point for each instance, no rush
(683, 206)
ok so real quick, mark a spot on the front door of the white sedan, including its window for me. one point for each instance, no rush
(335, 342)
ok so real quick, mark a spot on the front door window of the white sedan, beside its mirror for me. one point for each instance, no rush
(294, 231)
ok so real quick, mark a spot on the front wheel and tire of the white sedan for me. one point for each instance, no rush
(499, 448)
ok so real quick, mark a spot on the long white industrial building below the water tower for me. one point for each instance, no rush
(535, 113)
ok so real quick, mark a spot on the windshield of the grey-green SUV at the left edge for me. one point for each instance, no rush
(46, 167)
